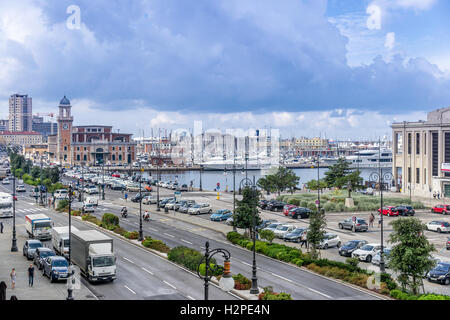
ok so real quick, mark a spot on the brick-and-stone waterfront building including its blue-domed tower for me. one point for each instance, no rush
(88, 145)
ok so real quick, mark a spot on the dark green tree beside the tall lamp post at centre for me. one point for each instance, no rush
(246, 208)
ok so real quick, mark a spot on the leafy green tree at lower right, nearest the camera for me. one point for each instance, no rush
(411, 256)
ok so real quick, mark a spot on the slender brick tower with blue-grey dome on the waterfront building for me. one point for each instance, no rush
(65, 120)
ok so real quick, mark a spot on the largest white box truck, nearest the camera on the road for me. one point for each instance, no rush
(92, 252)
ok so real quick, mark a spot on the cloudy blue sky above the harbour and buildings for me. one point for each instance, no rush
(344, 69)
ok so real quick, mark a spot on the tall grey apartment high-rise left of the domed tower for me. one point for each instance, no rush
(20, 113)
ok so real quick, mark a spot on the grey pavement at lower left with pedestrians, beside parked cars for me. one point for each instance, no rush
(42, 288)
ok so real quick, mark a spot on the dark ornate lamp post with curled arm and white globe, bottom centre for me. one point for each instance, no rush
(226, 282)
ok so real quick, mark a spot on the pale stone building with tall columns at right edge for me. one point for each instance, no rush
(421, 154)
